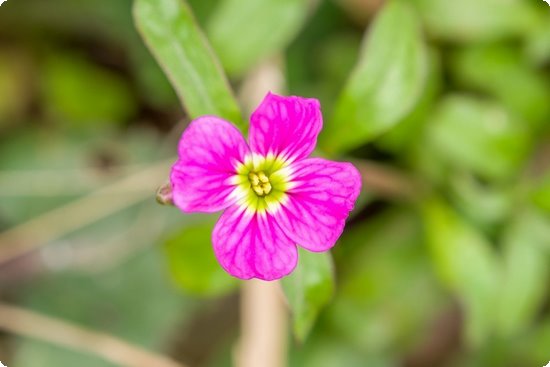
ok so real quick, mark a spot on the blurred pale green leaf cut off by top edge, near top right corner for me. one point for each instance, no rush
(474, 20)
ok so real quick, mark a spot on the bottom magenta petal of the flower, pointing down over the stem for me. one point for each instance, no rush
(251, 245)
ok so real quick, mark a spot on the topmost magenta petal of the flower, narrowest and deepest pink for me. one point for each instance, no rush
(285, 127)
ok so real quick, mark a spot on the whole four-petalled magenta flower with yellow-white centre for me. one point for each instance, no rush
(274, 197)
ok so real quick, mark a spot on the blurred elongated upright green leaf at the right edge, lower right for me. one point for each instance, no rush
(525, 273)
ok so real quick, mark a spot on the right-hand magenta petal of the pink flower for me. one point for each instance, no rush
(321, 197)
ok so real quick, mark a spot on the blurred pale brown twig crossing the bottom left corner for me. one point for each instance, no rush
(33, 325)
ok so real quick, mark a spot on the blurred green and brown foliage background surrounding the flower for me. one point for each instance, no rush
(443, 105)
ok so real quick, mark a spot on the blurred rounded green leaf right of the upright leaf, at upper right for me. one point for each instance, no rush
(480, 136)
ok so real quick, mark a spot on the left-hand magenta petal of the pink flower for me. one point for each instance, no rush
(209, 151)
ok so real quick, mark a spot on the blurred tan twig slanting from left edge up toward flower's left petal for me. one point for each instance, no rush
(64, 219)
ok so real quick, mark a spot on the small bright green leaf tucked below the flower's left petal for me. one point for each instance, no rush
(193, 264)
